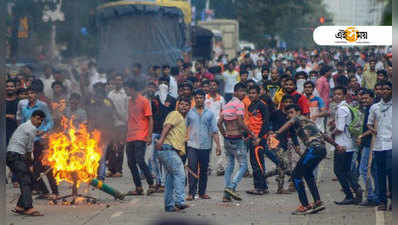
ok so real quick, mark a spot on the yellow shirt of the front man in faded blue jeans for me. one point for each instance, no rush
(177, 134)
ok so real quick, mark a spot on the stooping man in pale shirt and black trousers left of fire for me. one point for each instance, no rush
(20, 159)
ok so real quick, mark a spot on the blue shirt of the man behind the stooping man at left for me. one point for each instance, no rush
(25, 112)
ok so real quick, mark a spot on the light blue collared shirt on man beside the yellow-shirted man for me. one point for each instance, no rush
(201, 128)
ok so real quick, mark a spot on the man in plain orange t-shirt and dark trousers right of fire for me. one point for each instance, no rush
(139, 135)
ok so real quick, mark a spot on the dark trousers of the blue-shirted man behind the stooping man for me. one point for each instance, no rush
(39, 168)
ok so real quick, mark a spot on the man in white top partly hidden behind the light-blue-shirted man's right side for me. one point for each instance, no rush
(215, 102)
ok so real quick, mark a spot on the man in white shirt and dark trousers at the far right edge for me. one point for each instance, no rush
(380, 124)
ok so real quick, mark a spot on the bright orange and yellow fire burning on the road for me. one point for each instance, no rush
(73, 153)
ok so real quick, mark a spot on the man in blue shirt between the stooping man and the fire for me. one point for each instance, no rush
(24, 113)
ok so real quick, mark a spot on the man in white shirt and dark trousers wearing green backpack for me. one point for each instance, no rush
(343, 158)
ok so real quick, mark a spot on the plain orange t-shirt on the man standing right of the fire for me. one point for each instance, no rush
(138, 120)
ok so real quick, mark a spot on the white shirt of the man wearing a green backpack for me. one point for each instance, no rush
(343, 118)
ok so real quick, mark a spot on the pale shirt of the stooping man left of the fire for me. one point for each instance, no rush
(23, 138)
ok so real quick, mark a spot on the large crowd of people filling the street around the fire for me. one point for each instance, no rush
(180, 123)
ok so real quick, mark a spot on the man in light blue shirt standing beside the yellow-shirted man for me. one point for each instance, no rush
(202, 127)
